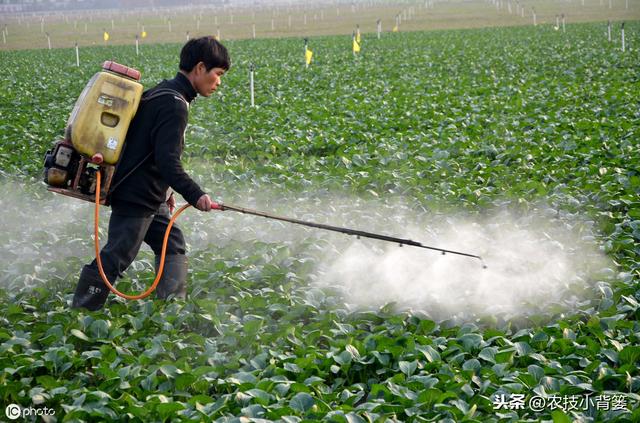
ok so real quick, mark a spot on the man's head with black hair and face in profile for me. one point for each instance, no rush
(203, 61)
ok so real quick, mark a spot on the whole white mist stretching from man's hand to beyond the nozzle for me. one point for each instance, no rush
(538, 261)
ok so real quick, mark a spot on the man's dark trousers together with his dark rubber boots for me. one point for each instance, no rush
(126, 234)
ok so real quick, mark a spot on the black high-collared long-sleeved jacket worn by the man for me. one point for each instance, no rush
(157, 134)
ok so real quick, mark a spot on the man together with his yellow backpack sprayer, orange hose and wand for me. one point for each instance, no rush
(140, 178)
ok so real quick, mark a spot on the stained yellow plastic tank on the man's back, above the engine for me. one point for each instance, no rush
(101, 116)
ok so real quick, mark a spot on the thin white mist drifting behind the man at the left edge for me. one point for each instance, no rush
(40, 230)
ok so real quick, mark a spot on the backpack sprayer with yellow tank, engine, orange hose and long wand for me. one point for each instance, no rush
(94, 140)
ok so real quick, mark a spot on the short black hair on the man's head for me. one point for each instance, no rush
(207, 50)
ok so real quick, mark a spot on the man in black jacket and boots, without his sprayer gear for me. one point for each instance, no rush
(149, 170)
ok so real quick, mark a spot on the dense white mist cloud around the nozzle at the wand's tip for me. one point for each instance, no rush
(534, 263)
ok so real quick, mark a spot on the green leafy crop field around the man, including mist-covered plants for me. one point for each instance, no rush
(519, 144)
